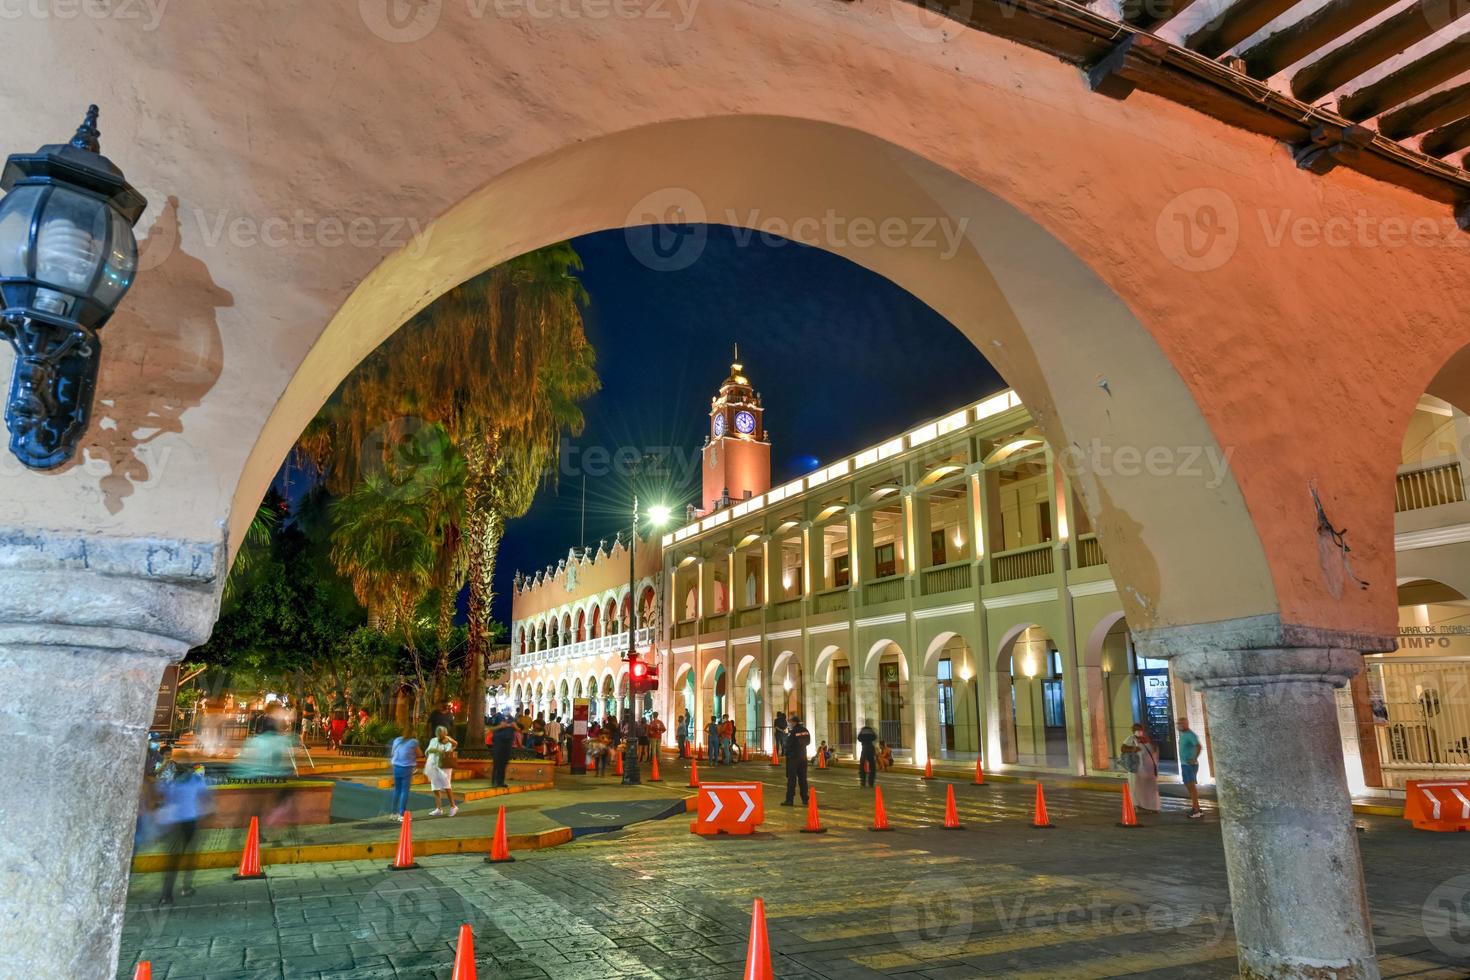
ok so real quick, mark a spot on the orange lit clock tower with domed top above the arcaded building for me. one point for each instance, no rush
(737, 455)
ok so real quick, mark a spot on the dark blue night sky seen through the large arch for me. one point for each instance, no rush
(842, 358)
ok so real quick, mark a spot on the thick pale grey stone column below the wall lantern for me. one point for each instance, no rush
(87, 628)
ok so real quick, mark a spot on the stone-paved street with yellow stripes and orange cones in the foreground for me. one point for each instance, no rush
(999, 898)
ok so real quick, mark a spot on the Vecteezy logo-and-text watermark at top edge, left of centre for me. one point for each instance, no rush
(408, 21)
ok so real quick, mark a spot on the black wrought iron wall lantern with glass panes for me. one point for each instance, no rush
(67, 259)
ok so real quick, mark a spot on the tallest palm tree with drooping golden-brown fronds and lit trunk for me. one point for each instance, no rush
(501, 364)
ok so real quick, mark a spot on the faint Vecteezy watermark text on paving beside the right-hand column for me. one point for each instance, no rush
(1111, 919)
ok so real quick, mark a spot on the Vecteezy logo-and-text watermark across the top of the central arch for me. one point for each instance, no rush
(667, 230)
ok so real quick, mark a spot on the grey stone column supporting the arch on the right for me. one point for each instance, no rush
(1287, 818)
